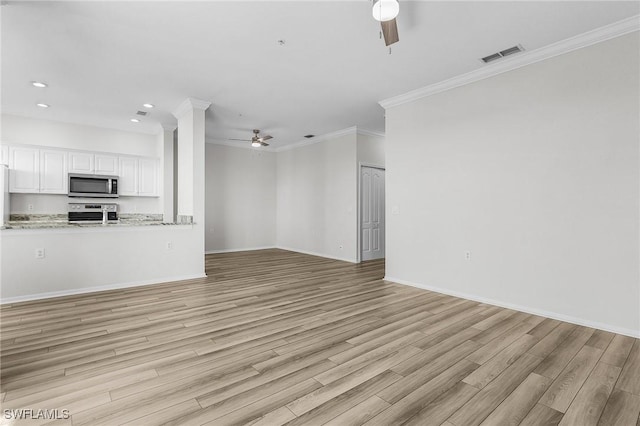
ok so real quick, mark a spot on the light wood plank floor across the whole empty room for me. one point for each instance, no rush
(274, 337)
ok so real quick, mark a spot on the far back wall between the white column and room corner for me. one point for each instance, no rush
(240, 198)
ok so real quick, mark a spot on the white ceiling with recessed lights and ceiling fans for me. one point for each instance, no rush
(103, 60)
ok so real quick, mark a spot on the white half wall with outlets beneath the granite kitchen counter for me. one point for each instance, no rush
(78, 261)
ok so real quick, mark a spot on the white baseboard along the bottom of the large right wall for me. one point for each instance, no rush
(526, 309)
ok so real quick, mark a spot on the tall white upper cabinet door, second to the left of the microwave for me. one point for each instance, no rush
(24, 169)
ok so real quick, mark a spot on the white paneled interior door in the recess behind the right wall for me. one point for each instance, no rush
(372, 213)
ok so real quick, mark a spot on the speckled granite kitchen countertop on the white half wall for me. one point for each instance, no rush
(60, 221)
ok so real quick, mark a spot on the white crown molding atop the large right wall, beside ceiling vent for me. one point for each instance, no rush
(589, 38)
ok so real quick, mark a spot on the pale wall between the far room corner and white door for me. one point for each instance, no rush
(316, 200)
